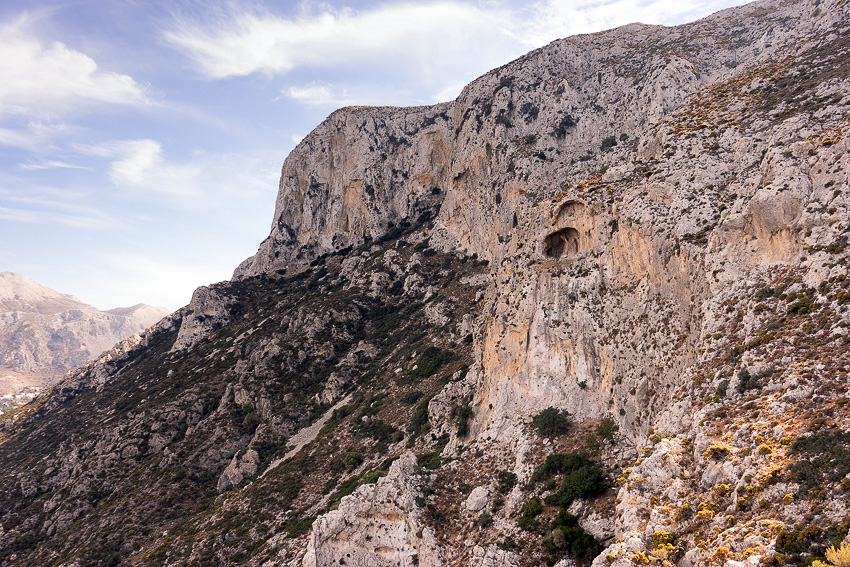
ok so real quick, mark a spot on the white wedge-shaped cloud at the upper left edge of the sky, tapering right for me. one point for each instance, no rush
(49, 78)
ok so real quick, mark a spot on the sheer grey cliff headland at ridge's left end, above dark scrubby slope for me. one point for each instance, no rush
(361, 171)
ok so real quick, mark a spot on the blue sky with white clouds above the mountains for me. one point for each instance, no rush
(141, 142)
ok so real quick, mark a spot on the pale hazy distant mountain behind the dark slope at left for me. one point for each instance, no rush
(44, 333)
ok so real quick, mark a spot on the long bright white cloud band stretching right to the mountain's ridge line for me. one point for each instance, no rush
(433, 47)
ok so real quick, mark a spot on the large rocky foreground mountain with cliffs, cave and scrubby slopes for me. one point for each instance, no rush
(593, 312)
